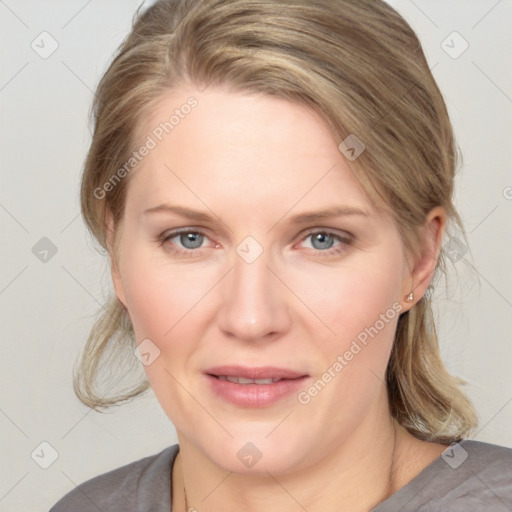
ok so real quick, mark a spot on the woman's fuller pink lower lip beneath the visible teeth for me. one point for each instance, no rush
(255, 395)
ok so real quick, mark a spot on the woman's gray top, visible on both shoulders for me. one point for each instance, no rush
(468, 477)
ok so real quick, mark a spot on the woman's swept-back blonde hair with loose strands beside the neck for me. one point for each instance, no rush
(362, 68)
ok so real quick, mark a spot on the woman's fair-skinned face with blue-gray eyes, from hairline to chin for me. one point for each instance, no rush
(283, 269)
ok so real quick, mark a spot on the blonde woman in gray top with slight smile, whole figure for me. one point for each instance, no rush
(273, 180)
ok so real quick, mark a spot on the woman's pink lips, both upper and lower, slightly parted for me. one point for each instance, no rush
(255, 395)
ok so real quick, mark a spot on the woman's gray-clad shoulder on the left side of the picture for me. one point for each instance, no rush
(129, 488)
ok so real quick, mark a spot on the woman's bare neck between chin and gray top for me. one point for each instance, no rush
(362, 480)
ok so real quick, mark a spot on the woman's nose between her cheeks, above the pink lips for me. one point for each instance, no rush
(254, 303)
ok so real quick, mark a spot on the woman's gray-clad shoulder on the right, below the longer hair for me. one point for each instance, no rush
(469, 475)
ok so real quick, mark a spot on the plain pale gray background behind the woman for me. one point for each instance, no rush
(47, 307)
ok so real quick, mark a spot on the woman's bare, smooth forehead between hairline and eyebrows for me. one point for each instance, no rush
(252, 149)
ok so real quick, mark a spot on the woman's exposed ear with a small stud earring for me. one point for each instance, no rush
(424, 263)
